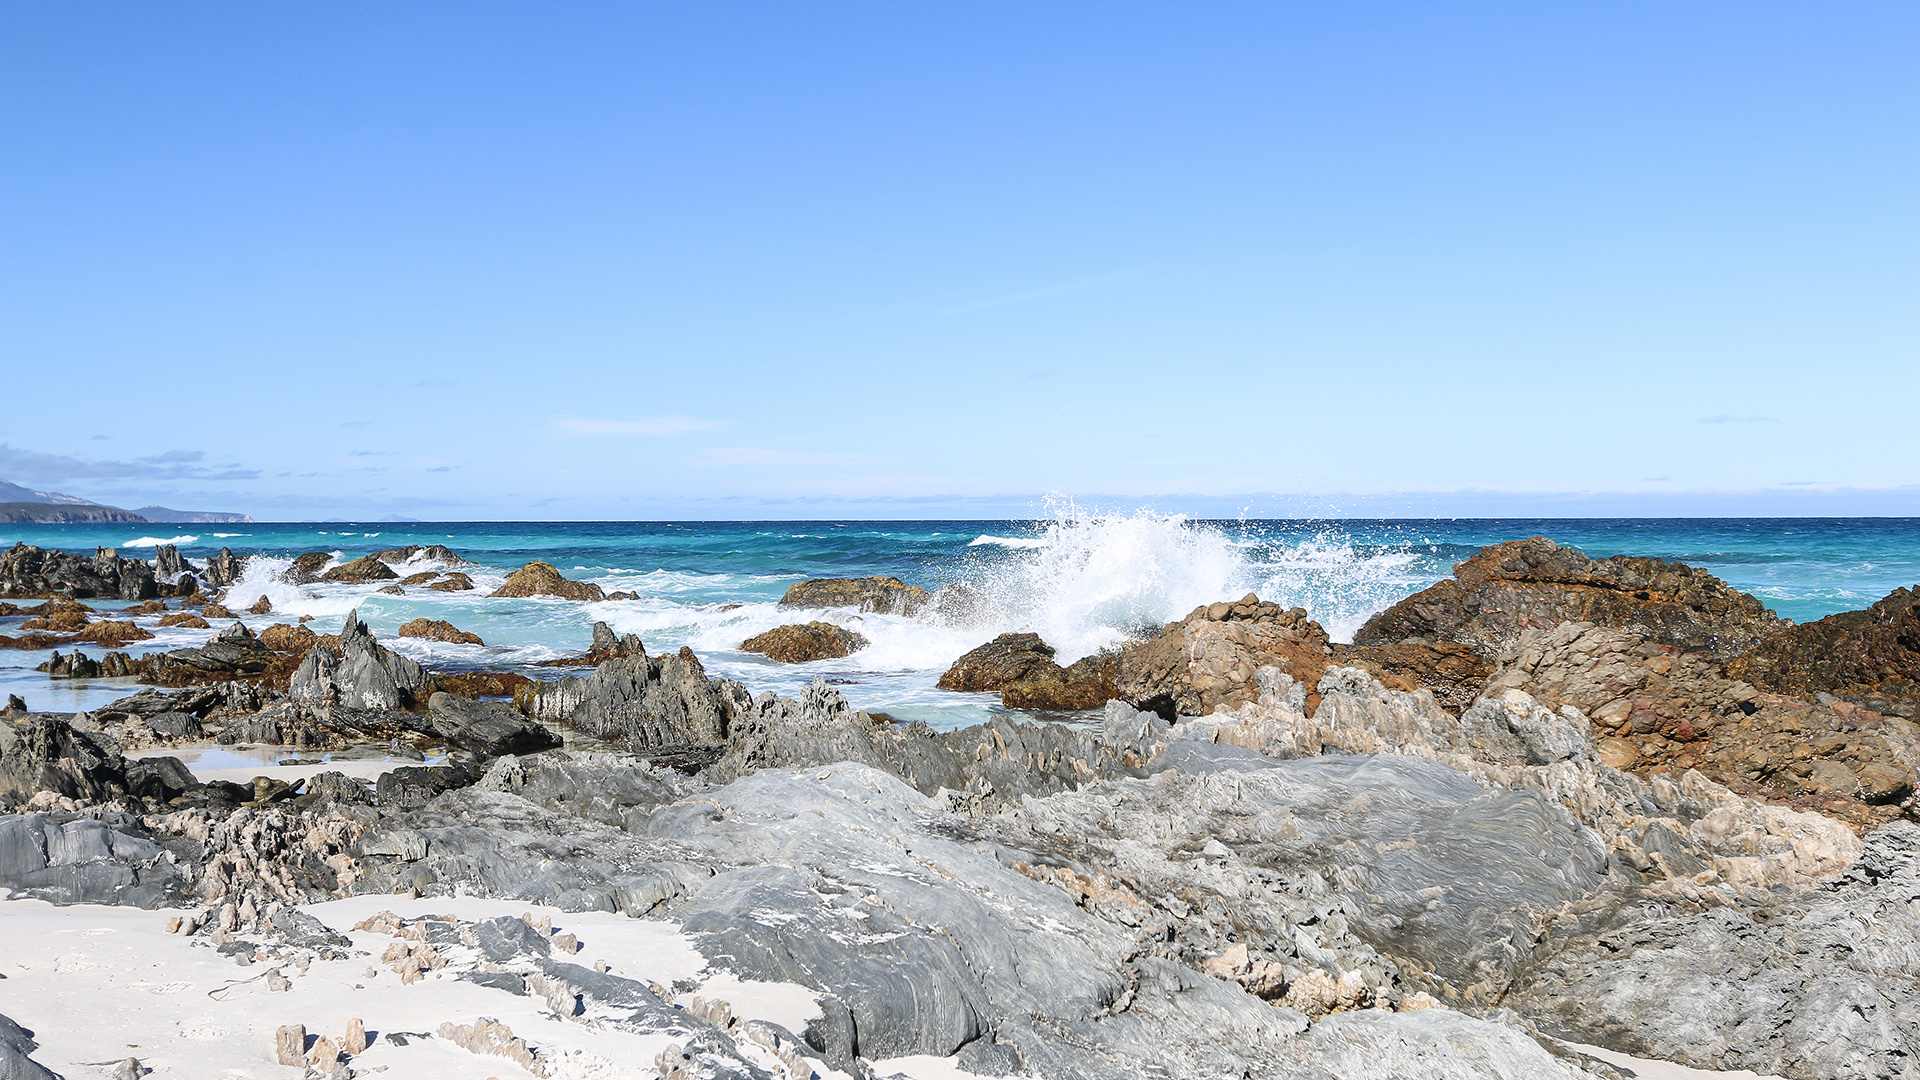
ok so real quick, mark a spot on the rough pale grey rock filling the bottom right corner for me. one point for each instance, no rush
(1808, 987)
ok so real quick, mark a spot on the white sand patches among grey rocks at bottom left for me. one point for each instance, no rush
(99, 985)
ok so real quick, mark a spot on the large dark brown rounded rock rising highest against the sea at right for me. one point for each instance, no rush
(1520, 585)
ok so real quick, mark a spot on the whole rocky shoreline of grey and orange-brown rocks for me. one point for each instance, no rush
(1550, 802)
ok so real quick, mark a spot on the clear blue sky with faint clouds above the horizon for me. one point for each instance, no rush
(917, 260)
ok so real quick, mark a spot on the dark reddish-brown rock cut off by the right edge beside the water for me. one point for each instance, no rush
(1869, 658)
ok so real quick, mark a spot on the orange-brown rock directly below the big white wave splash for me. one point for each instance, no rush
(1209, 660)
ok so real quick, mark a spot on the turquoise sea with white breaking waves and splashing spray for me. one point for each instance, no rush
(1080, 583)
